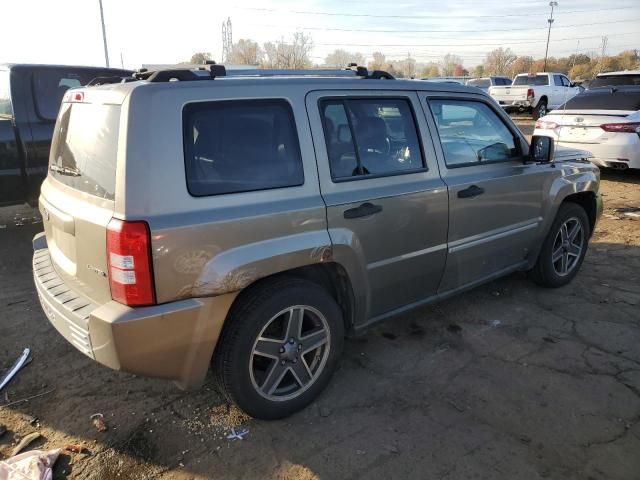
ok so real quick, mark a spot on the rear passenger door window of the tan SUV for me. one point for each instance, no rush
(370, 137)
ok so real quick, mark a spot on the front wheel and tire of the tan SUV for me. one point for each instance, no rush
(551, 270)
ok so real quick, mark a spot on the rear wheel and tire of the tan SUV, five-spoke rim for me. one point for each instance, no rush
(247, 368)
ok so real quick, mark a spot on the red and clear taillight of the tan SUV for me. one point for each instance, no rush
(129, 260)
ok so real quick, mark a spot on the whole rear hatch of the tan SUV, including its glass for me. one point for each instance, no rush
(77, 198)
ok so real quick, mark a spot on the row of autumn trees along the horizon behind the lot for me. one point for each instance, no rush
(296, 53)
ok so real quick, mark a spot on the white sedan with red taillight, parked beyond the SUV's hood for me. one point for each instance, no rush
(603, 121)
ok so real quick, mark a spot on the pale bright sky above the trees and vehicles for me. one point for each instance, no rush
(156, 32)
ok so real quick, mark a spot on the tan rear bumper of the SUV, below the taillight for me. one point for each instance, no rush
(174, 341)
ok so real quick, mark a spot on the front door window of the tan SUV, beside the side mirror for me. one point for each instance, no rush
(471, 133)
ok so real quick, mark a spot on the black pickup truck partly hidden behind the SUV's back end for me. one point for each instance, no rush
(30, 96)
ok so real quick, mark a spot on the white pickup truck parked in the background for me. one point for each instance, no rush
(535, 92)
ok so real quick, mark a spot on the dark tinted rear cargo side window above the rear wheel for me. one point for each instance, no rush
(240, 146)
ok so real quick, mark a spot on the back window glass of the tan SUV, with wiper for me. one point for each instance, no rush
(83, 152)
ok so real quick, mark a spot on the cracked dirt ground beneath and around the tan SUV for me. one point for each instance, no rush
(508, 381)
